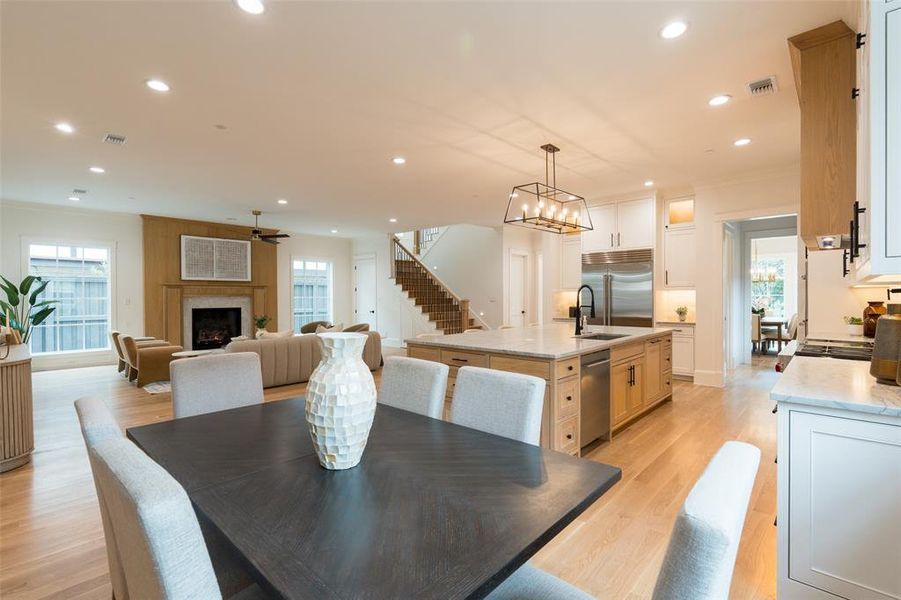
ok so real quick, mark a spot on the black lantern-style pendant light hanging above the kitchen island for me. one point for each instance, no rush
(543, 207)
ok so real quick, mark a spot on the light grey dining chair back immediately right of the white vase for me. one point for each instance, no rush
(415, 385)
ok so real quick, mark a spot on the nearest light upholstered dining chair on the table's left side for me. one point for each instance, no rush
(161, 547)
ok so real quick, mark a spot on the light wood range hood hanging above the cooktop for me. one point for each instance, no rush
(823, 62)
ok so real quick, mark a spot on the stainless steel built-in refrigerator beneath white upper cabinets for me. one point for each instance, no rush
(623, 286)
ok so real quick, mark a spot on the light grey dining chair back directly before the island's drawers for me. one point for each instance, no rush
(506, 404)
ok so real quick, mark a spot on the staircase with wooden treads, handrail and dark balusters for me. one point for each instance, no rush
(445, 309)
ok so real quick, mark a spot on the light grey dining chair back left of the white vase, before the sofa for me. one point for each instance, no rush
(215, 382)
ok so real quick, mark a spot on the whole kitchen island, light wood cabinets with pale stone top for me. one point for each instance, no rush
(640, 369)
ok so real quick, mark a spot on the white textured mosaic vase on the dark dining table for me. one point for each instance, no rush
(340, 404)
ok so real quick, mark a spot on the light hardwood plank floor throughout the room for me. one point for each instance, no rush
(51, 540)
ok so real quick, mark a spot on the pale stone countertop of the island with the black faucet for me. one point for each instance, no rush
(542, 341)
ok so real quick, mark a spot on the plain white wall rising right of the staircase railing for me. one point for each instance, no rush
(467, 258)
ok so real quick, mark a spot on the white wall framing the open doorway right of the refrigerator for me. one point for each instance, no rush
(769, 194)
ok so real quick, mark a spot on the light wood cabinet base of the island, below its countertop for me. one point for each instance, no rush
(640, 379)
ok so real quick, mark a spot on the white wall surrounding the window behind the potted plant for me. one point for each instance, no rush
(24, 222)
